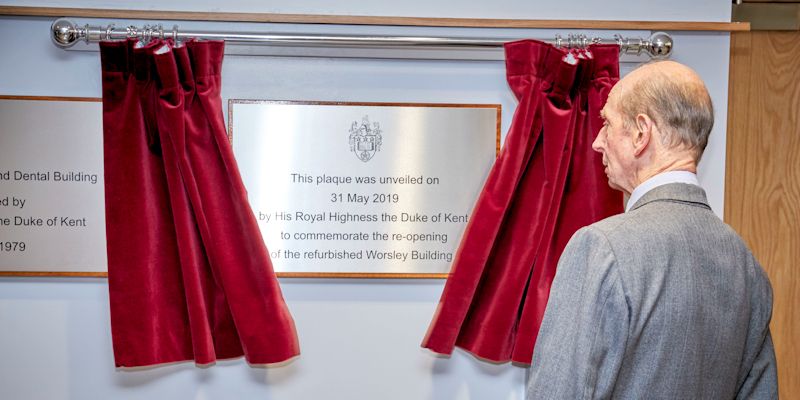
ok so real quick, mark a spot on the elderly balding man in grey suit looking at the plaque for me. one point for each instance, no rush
(665, 300)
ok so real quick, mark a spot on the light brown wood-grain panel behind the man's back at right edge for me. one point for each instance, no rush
(762, 188)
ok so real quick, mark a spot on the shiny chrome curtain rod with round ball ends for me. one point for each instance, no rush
(66, 33)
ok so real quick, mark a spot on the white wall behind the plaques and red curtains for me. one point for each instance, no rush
(360, 338)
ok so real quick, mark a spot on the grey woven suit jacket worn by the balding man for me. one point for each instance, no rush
(662, 302)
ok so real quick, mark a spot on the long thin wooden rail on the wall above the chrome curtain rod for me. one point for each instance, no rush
(372, 20)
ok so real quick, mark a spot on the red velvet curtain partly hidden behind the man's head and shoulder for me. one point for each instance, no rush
(546, 183)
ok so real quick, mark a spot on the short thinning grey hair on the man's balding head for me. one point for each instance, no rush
(681, 108)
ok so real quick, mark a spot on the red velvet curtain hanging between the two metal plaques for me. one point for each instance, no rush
(189, 275)
